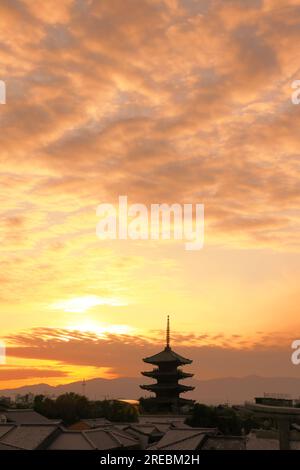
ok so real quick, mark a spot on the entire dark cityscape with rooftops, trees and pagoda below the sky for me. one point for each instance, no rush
(161, 421)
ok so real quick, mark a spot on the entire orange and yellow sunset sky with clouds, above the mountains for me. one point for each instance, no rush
(164, 101)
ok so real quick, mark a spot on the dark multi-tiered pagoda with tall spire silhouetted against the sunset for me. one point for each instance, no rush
(167, 374)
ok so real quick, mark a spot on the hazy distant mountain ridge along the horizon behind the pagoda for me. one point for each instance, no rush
(230, 389)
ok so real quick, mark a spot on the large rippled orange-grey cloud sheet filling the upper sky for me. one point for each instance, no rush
(170, 96)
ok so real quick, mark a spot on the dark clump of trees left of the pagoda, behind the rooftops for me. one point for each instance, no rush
(71, 407)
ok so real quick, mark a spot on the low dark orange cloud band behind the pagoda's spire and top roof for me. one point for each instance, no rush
(213, 355)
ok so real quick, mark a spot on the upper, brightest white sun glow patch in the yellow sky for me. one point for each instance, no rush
(82, 304)
